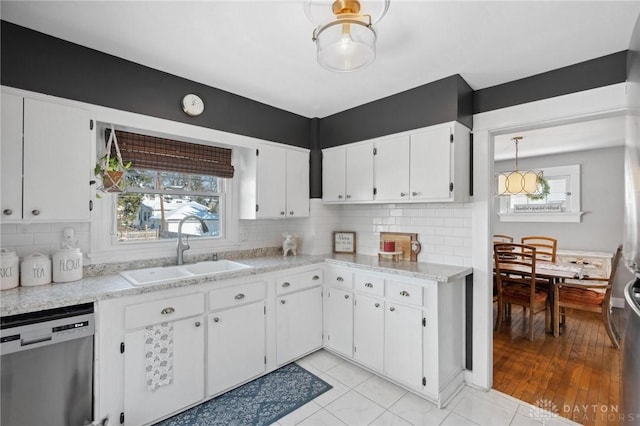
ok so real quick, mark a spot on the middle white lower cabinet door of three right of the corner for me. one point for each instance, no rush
(368, 331)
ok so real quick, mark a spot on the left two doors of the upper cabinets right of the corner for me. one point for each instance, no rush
(347, 173)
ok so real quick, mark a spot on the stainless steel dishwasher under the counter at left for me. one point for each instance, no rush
(47, 367)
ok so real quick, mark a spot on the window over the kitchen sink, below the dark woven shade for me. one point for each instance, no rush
(156, 202)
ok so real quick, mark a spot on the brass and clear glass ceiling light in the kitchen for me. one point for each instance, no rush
(345, 37)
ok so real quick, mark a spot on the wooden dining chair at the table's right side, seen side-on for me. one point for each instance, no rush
(591, 295)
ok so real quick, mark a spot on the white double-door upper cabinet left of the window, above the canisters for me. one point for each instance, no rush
(46, 161)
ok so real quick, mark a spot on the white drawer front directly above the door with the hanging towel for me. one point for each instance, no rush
(171, 309)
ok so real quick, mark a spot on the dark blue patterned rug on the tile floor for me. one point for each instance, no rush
(260, 402)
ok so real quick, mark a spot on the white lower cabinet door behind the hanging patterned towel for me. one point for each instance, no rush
(143, 405)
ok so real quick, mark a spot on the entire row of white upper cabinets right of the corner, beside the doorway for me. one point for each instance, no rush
(423, 165)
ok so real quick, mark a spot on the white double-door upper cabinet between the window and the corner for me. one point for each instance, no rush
(274, 182)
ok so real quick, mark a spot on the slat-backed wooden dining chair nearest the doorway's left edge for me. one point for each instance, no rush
(515, 272)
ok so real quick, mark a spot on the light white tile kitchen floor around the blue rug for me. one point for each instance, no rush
(361, 398)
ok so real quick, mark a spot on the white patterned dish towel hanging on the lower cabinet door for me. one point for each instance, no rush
(158, 347)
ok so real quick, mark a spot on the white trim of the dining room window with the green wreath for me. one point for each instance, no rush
(573, 215)
